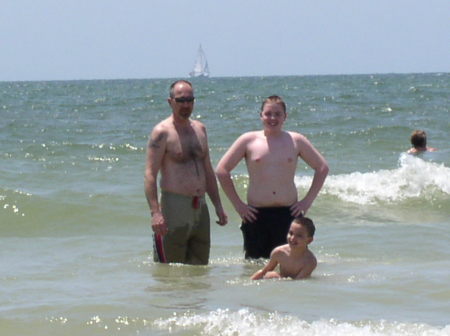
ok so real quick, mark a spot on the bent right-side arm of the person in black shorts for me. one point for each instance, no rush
(317, 162)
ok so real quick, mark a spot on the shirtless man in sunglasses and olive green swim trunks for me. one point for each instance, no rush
(178, 147)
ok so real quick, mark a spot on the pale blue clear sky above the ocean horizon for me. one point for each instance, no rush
(112, 39)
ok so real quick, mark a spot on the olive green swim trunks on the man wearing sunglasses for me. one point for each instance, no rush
(188, 240)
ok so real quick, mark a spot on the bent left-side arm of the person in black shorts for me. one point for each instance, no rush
(228, 162)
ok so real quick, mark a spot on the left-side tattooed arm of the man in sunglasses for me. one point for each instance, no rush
(156, 148)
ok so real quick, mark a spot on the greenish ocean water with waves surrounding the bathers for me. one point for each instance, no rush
(75, 236)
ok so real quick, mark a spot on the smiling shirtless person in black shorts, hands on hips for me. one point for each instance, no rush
(271, 156)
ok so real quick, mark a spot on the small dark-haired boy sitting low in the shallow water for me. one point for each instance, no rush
(295, 259)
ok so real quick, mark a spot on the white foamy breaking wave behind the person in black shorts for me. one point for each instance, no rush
(413, 178)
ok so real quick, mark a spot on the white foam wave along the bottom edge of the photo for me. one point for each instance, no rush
(245, 323)
